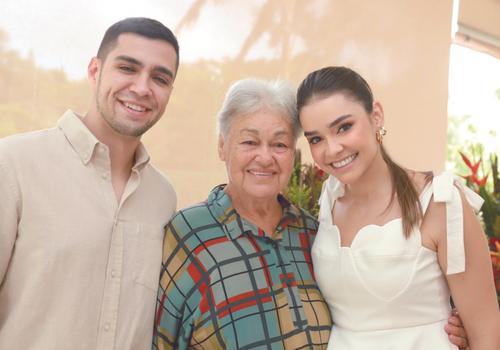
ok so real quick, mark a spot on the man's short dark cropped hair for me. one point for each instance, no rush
(143, 26)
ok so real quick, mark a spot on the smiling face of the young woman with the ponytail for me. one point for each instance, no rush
(341, 135)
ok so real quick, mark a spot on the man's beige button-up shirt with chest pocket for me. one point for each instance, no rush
(78, 270)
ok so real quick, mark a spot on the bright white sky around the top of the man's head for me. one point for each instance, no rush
(65, 34)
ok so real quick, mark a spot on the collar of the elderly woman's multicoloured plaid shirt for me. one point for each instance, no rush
(234, 225)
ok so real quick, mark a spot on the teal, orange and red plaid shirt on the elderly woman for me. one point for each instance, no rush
(224, 284)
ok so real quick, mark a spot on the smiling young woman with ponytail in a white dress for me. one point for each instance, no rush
(392, 242)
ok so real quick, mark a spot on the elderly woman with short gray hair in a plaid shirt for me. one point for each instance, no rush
(237, 269)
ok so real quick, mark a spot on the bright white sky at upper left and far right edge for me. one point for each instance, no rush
(65, 34)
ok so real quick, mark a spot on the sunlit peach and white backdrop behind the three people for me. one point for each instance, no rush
(420, 69)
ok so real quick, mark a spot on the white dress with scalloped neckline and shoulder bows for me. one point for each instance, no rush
(386, 291)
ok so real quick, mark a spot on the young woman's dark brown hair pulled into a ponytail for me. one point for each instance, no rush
(330, 80)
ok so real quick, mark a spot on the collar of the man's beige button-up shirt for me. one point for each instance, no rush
(84, 142)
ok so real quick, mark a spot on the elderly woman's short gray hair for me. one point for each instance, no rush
(249, 96)
